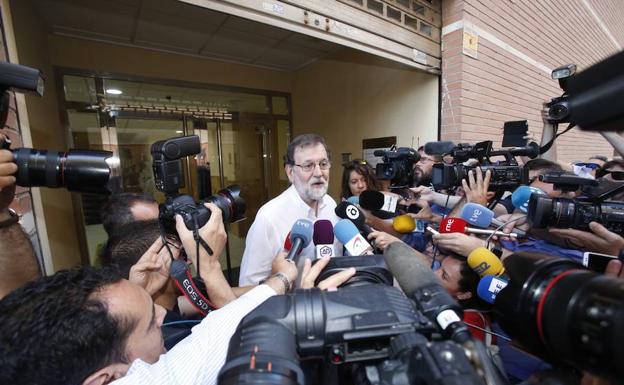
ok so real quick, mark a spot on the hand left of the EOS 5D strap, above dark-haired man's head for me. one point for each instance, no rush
(152, 270)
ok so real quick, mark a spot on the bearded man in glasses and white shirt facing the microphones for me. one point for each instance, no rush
(307, 167)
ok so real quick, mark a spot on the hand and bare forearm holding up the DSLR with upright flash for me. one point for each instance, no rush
(213, 233)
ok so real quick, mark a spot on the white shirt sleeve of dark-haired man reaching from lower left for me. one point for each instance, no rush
(198, 358)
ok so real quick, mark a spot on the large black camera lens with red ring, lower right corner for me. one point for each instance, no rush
(558, 310)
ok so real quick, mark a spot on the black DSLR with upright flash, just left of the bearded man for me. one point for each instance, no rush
(168, 178)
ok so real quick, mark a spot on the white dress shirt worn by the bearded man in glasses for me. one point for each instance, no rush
(273, 222)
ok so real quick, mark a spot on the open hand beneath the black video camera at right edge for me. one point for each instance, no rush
(600, 240)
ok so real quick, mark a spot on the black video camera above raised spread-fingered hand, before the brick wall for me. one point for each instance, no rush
(506, 175)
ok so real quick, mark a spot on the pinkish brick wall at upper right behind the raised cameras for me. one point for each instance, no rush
(519, 43)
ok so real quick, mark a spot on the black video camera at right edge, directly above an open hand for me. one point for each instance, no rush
(592, 205)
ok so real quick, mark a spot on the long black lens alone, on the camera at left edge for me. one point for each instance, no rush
(76, 170)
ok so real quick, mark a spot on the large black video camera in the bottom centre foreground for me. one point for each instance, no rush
(362, 334)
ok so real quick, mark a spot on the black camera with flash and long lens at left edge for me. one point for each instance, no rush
(75, 170)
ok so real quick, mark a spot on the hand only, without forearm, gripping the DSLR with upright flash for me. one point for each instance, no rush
(213, 233)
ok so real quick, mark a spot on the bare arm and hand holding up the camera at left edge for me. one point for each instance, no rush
(14, 242)
